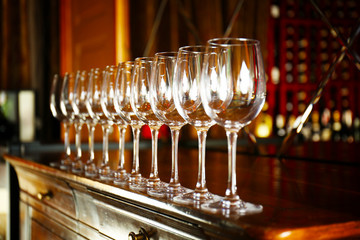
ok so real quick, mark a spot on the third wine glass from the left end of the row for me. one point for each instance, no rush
(80, 109)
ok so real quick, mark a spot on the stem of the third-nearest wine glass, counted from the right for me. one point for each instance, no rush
(174, 178)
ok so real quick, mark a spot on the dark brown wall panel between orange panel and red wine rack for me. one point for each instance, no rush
(189, 22)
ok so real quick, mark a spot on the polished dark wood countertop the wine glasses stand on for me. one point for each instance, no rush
(313, 193)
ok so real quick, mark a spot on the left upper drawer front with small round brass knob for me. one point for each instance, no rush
(48, 190)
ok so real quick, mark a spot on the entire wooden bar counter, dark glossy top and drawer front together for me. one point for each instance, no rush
(313, 193)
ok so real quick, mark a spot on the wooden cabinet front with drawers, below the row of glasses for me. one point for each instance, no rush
(60, 205)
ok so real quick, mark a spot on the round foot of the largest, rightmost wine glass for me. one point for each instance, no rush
(231, 210)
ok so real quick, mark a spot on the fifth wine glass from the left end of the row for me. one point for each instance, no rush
(107, 103)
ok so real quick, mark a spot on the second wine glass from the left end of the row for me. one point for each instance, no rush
(67, 108)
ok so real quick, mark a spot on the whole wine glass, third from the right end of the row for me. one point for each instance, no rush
(162, 103)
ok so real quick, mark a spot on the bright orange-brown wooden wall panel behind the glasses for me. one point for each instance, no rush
(89, 30)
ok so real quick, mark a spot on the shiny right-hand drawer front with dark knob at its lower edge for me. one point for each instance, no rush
(118, 219)
